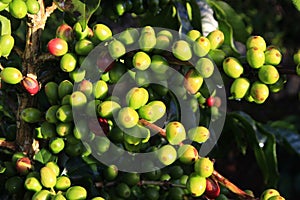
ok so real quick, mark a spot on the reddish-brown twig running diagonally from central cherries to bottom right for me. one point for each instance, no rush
(222, 180)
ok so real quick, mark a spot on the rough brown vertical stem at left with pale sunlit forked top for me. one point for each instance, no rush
(35, 26)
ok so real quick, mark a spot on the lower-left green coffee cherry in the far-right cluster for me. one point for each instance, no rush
(239, 88)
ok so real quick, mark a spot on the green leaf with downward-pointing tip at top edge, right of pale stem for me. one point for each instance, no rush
(81, 10)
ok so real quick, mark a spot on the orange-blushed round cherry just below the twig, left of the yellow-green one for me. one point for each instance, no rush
(188, 154)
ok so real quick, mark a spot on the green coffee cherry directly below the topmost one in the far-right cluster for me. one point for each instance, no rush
(255, 57)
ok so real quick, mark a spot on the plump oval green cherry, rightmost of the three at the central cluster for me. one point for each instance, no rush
(153, 111)
